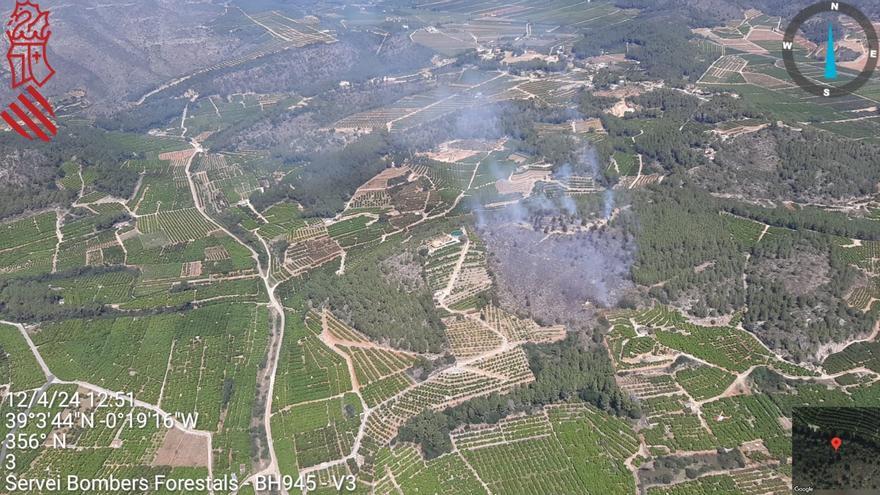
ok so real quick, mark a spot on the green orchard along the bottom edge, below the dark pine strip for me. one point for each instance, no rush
(521, 450)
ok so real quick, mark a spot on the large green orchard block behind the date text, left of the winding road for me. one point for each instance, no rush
(137, 352)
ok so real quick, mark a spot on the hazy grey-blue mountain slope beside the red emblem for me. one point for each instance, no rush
(117, 51)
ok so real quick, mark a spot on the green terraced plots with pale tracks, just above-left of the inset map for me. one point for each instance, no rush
(696, 392)
